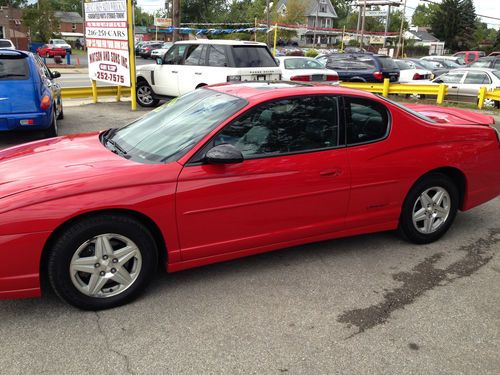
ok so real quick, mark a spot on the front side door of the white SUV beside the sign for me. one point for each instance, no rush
(166, 75)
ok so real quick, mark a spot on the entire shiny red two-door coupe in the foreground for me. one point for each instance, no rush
(229, 171)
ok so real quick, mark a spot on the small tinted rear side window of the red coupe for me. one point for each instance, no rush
(366, 120)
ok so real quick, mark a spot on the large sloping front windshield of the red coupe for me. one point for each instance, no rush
(168, 132)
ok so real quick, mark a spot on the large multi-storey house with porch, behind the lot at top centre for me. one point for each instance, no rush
(318, 14)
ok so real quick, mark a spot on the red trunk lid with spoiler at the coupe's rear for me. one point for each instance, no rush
(448, 115)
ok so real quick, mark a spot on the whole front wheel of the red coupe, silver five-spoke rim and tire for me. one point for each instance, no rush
(102, 262)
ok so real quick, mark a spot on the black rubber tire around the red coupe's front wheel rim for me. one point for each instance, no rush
(66, 247)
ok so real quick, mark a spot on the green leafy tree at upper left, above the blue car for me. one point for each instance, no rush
(41, 21)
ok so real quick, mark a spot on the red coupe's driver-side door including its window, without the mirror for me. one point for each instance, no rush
(293, 183)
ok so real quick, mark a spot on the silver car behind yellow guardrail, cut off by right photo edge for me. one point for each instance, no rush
(464, 84)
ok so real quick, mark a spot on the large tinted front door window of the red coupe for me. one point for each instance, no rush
(284, 126)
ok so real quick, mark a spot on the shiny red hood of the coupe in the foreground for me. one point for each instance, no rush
(69, 165)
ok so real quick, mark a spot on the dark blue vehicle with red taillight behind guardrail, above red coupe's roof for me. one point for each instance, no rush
(363, 67)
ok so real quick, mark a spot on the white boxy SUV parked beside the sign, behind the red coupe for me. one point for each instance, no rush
(191, 64)
